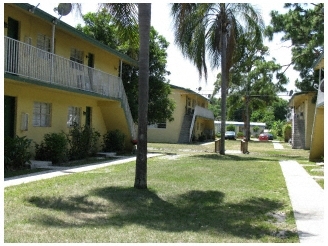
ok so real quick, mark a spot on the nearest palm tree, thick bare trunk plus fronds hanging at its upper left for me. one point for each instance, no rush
(125, 16)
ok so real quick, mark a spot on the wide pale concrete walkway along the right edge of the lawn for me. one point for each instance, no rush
(307, 199)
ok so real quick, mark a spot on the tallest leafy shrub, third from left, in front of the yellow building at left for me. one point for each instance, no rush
(83, 142)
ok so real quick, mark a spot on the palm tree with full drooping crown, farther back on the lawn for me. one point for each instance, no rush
(213, 29)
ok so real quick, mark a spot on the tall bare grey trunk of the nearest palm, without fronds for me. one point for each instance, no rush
(144, 16)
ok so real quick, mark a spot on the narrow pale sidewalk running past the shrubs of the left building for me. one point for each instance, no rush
(60, 171)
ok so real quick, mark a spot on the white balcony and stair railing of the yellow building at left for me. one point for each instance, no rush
(36, 64)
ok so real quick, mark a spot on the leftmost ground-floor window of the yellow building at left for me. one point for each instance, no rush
(41, 114)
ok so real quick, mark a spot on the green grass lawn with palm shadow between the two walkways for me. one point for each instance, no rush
(194, 195)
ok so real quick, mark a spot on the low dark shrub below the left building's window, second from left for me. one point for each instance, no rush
(53, 148)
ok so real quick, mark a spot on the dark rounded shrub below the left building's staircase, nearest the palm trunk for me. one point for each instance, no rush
(114, 141)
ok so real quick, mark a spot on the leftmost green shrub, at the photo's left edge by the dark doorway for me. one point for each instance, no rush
(16, 152)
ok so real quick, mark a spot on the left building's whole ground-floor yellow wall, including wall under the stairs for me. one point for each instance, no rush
(107, 115)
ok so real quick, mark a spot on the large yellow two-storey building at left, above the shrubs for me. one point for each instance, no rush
(55, 75)
